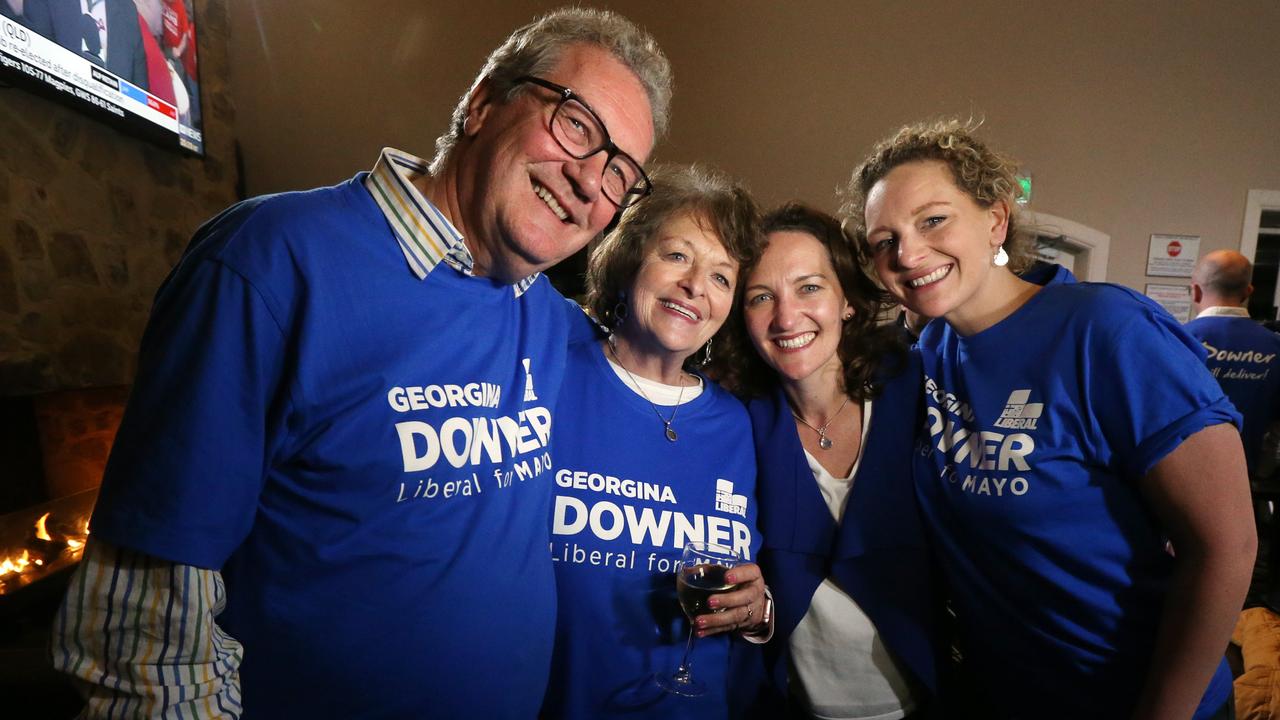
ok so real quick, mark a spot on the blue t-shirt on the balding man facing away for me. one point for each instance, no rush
(1242, 356)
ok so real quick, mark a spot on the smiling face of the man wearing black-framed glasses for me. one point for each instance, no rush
(524, 203)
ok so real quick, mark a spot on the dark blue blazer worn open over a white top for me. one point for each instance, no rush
(877, 555)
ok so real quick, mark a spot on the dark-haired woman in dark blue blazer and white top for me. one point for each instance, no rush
(835, 404)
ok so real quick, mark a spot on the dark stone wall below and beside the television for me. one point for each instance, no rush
(93, 220)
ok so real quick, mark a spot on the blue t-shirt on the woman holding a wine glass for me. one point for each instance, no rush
(627, 503)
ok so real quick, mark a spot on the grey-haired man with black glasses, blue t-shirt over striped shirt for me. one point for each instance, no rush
(330, 494)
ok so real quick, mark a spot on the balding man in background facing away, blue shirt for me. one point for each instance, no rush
(1242, 354)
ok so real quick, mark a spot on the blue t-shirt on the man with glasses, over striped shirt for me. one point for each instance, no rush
(365, 455)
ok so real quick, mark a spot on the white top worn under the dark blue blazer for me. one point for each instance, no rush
(839, 664)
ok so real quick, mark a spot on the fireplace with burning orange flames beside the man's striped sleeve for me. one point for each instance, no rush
(56, 448)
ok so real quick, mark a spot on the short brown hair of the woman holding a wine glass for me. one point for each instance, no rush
(711, 198)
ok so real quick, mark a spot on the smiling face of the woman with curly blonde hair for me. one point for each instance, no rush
(932, 244)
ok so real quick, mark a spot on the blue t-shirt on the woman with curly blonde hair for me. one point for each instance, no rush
(1039, 430)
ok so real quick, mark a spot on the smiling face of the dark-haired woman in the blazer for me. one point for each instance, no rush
(796, 308)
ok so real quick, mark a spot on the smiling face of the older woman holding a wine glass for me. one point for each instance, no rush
(682, 294)
